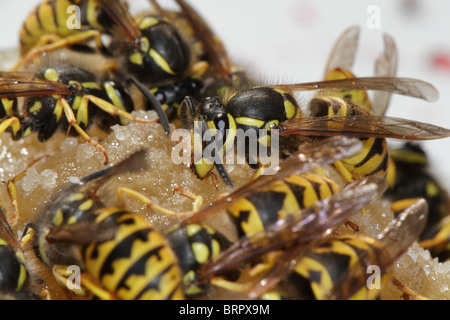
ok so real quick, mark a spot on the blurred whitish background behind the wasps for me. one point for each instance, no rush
(290, 40)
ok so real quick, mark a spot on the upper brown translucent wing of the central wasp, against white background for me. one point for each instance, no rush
(404, 86)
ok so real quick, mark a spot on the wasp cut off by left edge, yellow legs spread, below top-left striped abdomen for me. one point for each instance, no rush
(62, 96)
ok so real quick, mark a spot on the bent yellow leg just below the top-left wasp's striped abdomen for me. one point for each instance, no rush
(62, 43)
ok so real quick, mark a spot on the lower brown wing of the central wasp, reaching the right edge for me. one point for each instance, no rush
(364, 126)
